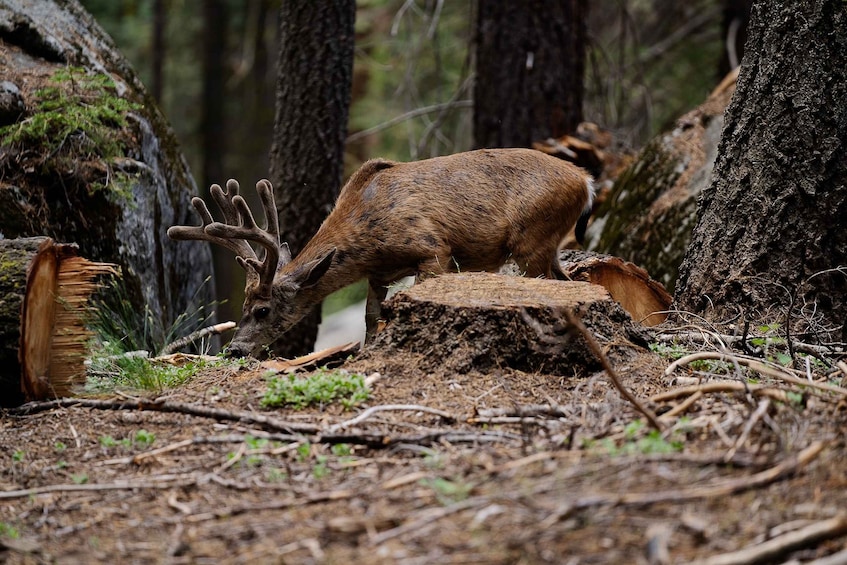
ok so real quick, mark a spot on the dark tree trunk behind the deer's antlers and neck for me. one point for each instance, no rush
(312, 101)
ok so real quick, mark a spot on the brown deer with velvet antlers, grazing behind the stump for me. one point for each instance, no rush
(470, 211)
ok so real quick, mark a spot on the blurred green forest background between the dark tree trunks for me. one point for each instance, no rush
(212, 66)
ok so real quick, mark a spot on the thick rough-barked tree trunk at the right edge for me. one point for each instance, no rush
(771, 240)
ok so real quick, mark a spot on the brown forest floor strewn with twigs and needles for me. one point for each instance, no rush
(439, 466)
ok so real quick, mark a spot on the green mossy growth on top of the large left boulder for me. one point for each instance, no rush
(78, 119)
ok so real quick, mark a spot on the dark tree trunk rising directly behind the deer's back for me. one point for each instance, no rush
(530, 59)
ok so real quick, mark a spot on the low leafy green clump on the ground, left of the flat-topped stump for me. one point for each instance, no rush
(321, 388)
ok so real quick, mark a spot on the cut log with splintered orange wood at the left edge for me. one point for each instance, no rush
(44, 289)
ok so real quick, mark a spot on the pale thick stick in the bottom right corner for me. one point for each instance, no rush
(774, 549)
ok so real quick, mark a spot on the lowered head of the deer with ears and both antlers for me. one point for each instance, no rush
(271, 304)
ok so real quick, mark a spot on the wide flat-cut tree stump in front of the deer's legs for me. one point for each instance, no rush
(483, 321)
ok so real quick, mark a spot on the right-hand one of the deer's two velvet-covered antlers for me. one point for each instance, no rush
(267, 238)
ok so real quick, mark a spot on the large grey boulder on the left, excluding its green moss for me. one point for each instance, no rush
(38, 39)
